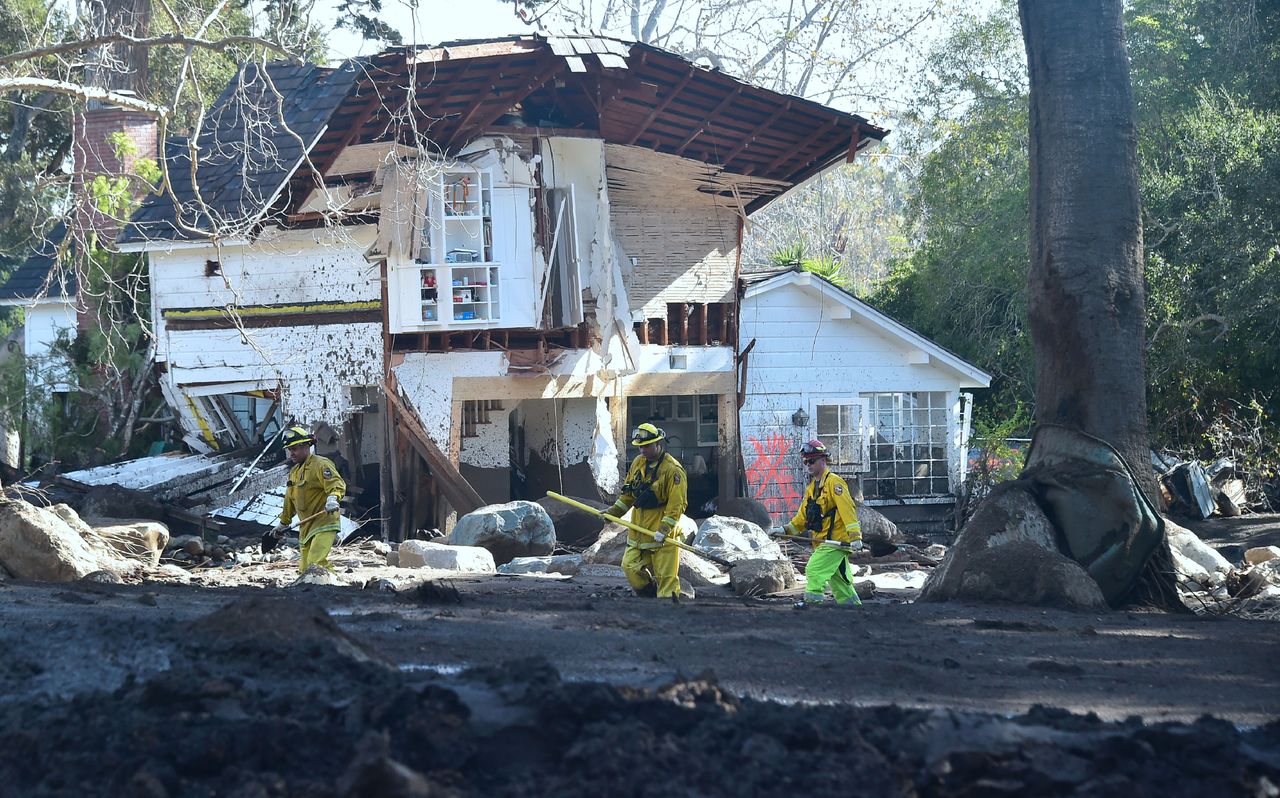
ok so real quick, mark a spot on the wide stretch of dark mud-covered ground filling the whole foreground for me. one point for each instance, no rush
(538, 687)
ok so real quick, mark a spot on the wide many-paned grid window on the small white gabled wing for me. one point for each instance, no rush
(908, 445)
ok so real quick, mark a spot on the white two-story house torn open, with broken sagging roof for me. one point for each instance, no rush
(474, 267)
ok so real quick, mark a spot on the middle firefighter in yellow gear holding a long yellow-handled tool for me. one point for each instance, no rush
(657, 493)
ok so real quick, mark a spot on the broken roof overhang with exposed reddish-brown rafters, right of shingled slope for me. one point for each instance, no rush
(624, 93)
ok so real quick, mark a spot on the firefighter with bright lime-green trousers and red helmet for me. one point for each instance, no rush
(829, 516)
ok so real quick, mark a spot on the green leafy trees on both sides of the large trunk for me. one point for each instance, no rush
(1206, 77)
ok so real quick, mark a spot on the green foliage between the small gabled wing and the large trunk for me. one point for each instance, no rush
(964, 284)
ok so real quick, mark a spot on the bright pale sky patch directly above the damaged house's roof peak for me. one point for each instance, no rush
(436, 21)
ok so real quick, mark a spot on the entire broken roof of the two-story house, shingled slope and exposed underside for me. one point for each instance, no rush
(624, 93)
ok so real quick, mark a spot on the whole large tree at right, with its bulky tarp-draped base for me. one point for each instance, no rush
(1080, 527)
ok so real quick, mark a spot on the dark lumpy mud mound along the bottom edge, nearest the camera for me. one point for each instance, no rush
(221, 724)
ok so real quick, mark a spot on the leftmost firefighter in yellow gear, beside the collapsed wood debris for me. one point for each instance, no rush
(314, 487)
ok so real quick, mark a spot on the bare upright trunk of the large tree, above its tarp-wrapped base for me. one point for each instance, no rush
(1086, 300)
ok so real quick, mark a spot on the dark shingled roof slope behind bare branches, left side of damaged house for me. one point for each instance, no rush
(245, 153)
